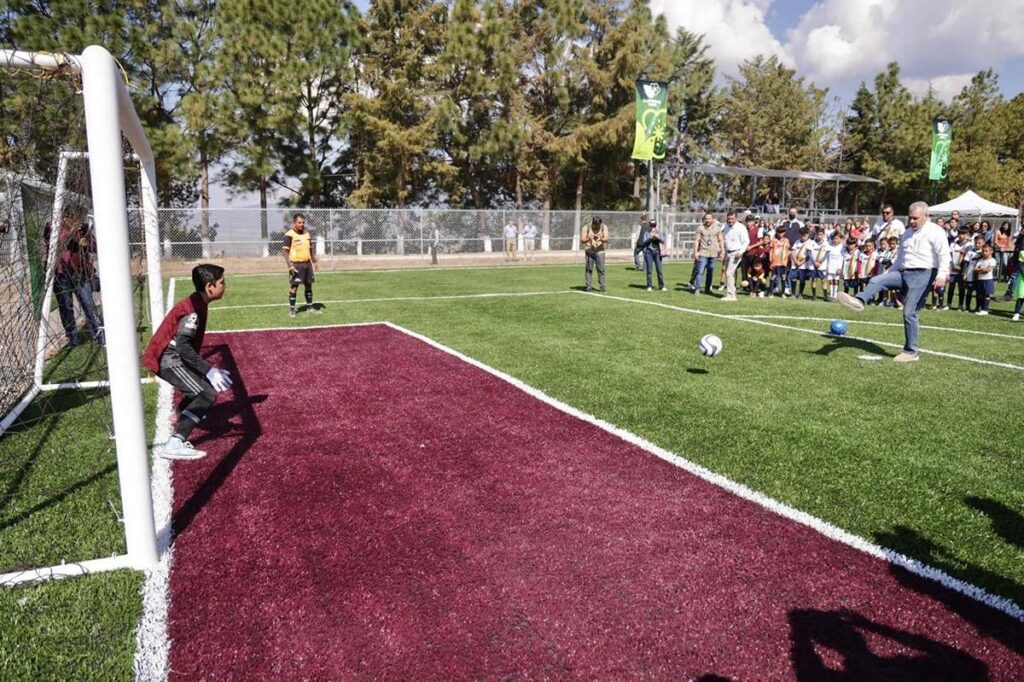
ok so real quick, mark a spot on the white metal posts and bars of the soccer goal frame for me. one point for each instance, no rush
(109, 115)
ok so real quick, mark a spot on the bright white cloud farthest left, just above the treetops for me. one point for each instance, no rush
(734, 30)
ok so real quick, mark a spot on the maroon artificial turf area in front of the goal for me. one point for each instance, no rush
(373, 507)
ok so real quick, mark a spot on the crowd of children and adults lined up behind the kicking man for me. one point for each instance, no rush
(793, 260)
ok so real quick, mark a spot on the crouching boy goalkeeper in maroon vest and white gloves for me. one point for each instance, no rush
(174, 356)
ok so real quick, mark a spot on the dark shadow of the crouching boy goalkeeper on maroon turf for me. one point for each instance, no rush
(219, 424)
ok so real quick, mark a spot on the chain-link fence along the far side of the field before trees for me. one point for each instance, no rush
(190, 235)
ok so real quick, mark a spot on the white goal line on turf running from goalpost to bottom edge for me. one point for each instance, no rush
(152, 643)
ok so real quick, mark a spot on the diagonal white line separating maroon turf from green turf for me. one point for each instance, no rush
(832, 532)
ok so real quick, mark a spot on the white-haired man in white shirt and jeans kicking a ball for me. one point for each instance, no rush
(923, 264)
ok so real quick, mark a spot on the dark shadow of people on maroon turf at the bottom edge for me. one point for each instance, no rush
(846, 636)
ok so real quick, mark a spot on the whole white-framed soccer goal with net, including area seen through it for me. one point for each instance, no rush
(78, 294)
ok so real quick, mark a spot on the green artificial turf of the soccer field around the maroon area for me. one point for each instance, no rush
(923, 459)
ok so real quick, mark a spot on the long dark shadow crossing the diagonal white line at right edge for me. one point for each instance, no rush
(993, 623)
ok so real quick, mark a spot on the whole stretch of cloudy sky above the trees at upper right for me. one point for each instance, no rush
(841, 44)
